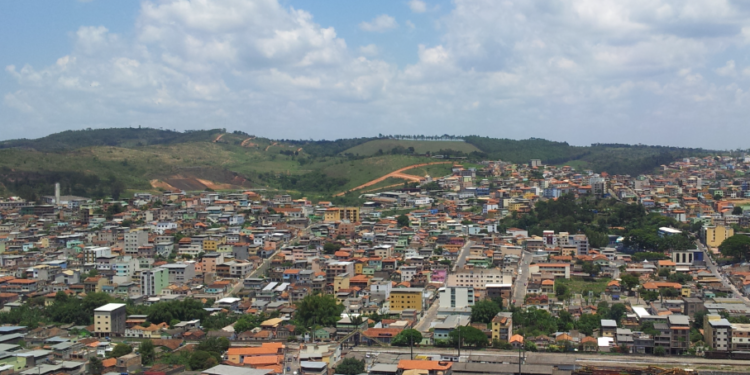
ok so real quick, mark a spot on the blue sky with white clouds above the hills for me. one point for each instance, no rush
(659, 72)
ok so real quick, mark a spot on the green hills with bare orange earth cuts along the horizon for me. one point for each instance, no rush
(107, 162)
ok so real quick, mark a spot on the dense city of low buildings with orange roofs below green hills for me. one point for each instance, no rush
(499, 264)
